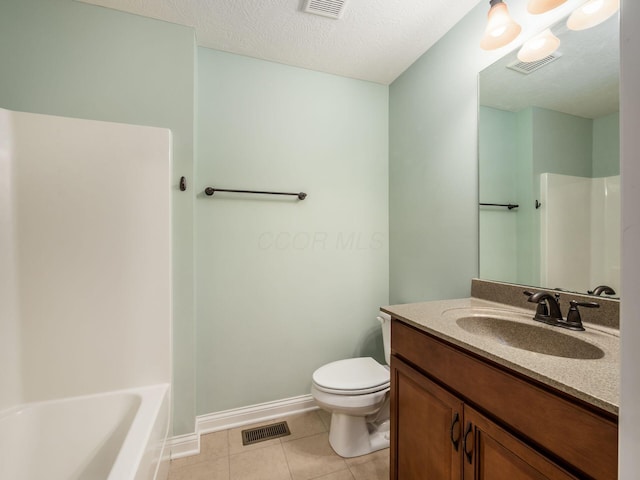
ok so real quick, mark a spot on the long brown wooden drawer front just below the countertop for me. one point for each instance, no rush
(563, 428)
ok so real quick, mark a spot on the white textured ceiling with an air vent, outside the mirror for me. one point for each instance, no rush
(375, 40)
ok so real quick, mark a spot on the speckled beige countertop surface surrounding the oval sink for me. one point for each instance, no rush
(595, 381)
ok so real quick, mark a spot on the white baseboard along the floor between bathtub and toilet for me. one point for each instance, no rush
(189, 444)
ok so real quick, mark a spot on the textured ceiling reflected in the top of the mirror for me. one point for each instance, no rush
(584, 81)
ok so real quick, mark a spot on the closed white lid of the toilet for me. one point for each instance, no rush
(351, 374)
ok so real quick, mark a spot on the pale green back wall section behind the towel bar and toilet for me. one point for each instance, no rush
(284, 286)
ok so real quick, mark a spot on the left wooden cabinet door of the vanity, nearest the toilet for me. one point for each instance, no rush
(426, 428)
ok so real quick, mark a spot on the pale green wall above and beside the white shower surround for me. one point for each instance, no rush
(67, 58)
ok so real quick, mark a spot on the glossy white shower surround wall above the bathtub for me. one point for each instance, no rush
(85, 250)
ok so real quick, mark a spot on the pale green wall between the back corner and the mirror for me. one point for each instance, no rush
(433, 168)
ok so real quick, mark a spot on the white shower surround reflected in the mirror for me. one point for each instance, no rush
(580, 232)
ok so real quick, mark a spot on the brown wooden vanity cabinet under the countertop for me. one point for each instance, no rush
(457, 415)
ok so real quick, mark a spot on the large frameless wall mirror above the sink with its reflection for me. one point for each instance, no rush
(549, 143)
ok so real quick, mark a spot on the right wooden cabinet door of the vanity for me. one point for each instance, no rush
(491, 453)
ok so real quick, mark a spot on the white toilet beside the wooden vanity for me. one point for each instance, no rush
(356, 393)
